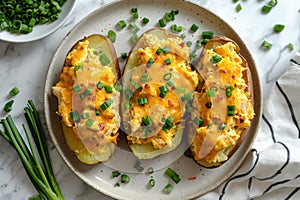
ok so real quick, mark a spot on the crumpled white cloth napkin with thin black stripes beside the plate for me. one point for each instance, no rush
(272, 168)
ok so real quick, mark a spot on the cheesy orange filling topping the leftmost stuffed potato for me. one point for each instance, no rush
(80, 99)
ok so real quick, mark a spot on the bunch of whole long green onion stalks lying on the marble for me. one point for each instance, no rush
(40, 172)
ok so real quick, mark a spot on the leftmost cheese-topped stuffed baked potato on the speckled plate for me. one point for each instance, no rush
(88, 102)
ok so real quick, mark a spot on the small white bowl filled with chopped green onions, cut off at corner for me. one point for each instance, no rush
(30, 20)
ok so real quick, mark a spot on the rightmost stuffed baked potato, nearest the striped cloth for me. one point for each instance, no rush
(224, 102)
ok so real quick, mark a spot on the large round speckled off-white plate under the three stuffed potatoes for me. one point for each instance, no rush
(99, 176)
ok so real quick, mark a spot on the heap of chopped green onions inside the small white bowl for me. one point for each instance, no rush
(22, 16)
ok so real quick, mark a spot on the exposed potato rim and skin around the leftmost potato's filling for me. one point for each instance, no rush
(73, 141)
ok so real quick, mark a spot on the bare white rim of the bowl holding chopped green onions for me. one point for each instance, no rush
(41, 31)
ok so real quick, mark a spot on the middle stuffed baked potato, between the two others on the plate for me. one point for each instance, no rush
(157, 84)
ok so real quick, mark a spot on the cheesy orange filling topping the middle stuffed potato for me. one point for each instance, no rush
(168, 68)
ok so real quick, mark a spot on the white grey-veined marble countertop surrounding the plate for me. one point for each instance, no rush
(25, 66)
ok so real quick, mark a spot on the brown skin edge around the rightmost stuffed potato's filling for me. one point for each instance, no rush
(191, 128)
